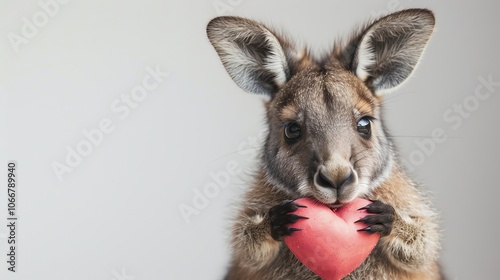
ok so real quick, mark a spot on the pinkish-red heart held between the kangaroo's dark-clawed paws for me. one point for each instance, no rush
(329, 243)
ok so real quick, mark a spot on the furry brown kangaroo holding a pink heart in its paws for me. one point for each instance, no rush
(327, 141)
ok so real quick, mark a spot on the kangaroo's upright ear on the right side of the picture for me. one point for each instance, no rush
(390, 48)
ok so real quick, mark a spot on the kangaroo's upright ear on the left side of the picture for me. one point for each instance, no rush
(256, 59)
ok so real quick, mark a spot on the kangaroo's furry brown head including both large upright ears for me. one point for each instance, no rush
(326, 137)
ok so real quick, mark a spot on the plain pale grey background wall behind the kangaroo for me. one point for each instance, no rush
(116, 215)
